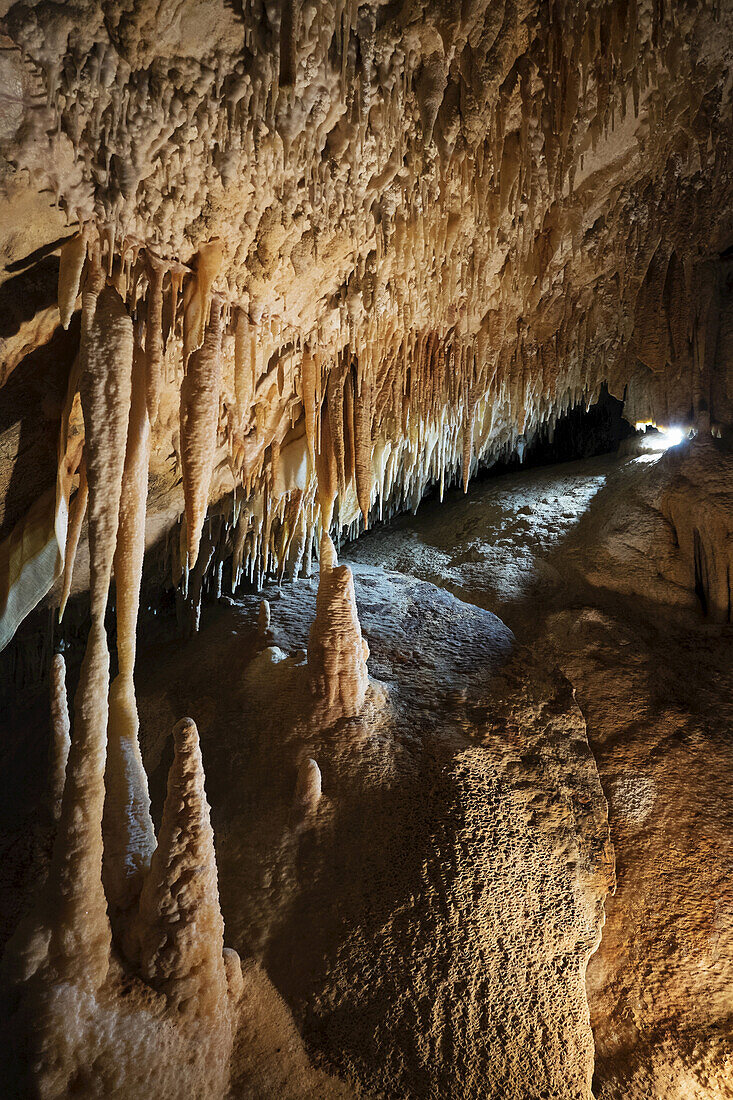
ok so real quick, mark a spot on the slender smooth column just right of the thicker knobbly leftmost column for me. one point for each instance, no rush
(128, 829)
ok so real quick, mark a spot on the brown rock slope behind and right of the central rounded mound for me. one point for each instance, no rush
(654, 680)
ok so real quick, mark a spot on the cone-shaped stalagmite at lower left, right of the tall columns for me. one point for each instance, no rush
(181, 926)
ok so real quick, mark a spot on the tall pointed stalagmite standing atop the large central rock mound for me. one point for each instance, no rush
(337, 653)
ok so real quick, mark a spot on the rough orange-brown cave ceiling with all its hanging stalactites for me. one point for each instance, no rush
(431, 229)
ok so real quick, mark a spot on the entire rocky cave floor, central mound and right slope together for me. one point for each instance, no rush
(654, 686)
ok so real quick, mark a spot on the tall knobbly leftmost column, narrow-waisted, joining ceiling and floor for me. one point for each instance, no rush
(81, 936)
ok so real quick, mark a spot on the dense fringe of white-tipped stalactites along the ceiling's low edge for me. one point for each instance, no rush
(374, 437)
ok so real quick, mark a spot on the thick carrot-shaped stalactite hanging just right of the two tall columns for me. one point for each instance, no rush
(200, 416)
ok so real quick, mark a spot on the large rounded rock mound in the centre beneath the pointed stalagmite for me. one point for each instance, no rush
(431, 919)
